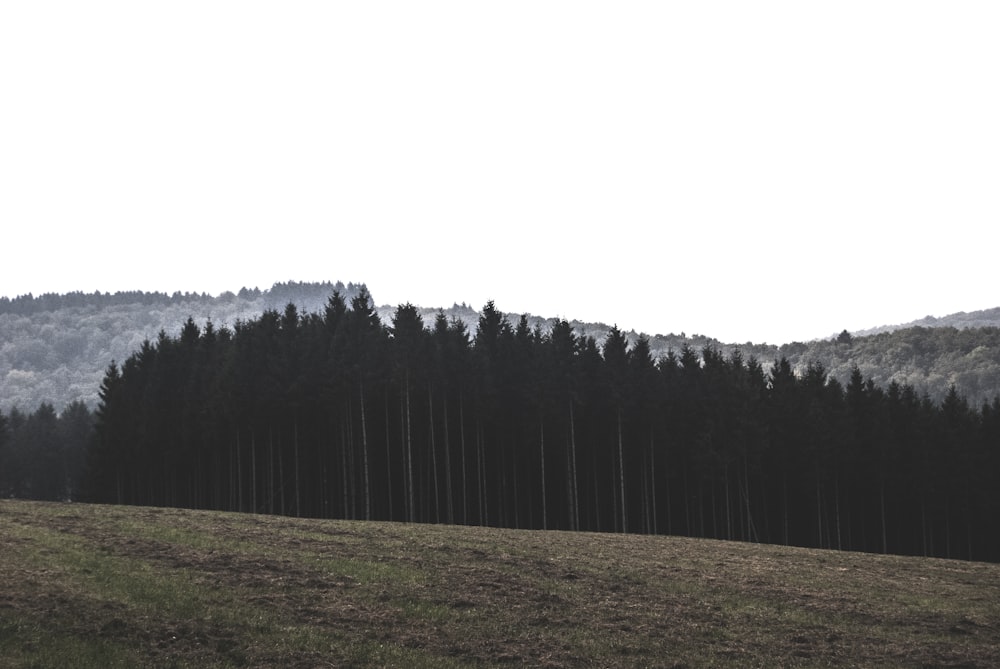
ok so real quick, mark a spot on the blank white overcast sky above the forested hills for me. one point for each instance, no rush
(751, 171)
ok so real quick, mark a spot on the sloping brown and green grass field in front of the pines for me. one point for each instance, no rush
(103, 586)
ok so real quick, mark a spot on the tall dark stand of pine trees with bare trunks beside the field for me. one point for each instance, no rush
(336, 415)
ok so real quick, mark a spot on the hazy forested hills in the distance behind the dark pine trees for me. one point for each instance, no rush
(56, 348)
